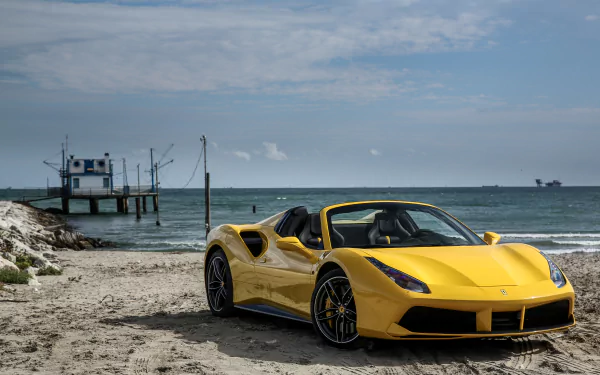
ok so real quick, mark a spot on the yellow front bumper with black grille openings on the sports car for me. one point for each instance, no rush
(537, 309)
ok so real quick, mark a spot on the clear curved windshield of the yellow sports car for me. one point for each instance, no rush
(393, 224)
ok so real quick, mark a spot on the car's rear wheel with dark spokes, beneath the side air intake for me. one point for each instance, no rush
(219, 285)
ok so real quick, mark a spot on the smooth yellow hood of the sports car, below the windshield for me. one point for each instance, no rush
(483, 266)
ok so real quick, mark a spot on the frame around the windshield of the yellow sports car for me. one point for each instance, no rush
(453, 222)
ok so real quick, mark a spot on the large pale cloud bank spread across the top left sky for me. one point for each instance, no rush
(114, 48)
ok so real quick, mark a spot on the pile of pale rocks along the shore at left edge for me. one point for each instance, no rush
(30, 238)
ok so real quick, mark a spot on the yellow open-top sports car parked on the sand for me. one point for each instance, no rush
(385, 269)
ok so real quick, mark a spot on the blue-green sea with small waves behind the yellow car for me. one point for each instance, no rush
(562, 219)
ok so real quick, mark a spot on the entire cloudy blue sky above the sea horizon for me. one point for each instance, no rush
(306, 93)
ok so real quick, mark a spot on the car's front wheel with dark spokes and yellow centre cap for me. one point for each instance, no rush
(333, 310)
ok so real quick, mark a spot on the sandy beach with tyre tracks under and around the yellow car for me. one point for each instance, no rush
(146, 313)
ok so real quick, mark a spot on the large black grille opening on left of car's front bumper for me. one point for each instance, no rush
(431, 320)
